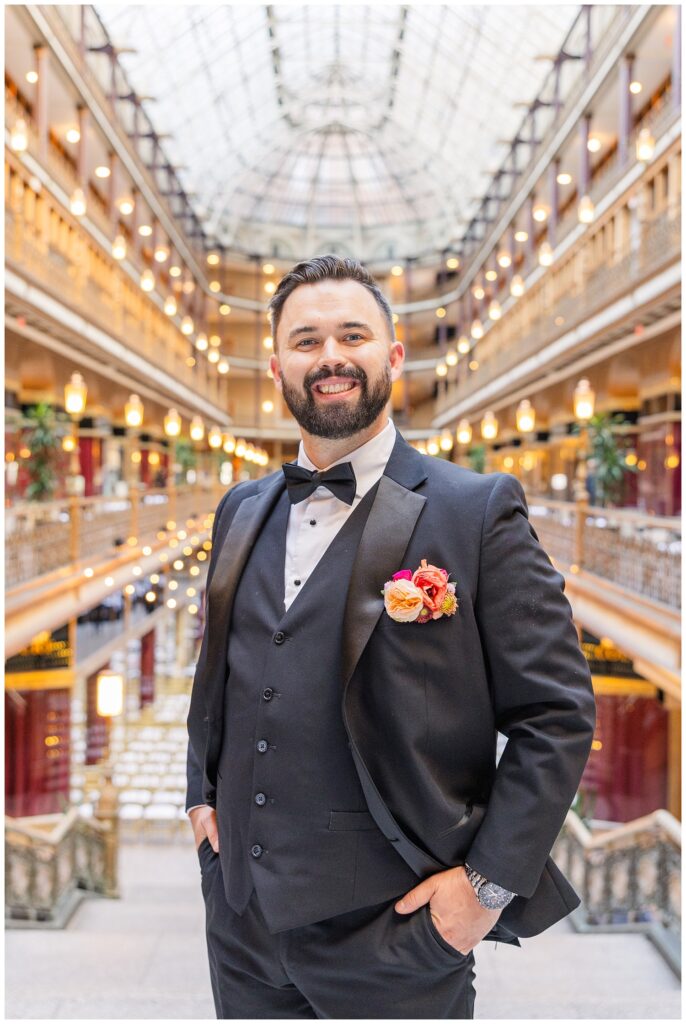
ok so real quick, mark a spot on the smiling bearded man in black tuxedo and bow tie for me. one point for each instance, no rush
(374, 618)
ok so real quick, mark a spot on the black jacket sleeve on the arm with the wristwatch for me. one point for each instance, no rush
(541, 691)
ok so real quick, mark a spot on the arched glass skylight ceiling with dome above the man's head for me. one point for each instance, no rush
(373, 130)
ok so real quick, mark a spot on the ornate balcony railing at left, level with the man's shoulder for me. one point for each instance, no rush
(45, 538)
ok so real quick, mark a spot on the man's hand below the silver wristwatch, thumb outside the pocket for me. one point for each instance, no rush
(455, 909)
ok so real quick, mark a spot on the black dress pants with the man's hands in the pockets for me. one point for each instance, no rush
(372, 963)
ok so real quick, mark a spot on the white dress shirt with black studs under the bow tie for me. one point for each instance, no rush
(314, 524)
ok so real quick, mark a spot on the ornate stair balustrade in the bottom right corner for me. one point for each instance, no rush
(628, 877)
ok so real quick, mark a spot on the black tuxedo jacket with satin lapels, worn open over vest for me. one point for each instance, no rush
(422, 704)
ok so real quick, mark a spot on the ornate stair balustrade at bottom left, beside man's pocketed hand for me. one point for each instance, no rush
(53, 861)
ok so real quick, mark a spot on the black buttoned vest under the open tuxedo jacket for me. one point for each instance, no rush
(292, 817)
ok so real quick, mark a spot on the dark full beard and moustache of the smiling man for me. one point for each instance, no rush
(339, 419)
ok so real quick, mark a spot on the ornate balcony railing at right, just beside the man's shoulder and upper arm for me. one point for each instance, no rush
(641, 553)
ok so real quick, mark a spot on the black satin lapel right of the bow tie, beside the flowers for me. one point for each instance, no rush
(382, 547)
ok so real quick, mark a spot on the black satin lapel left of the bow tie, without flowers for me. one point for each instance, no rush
(246, 525)
